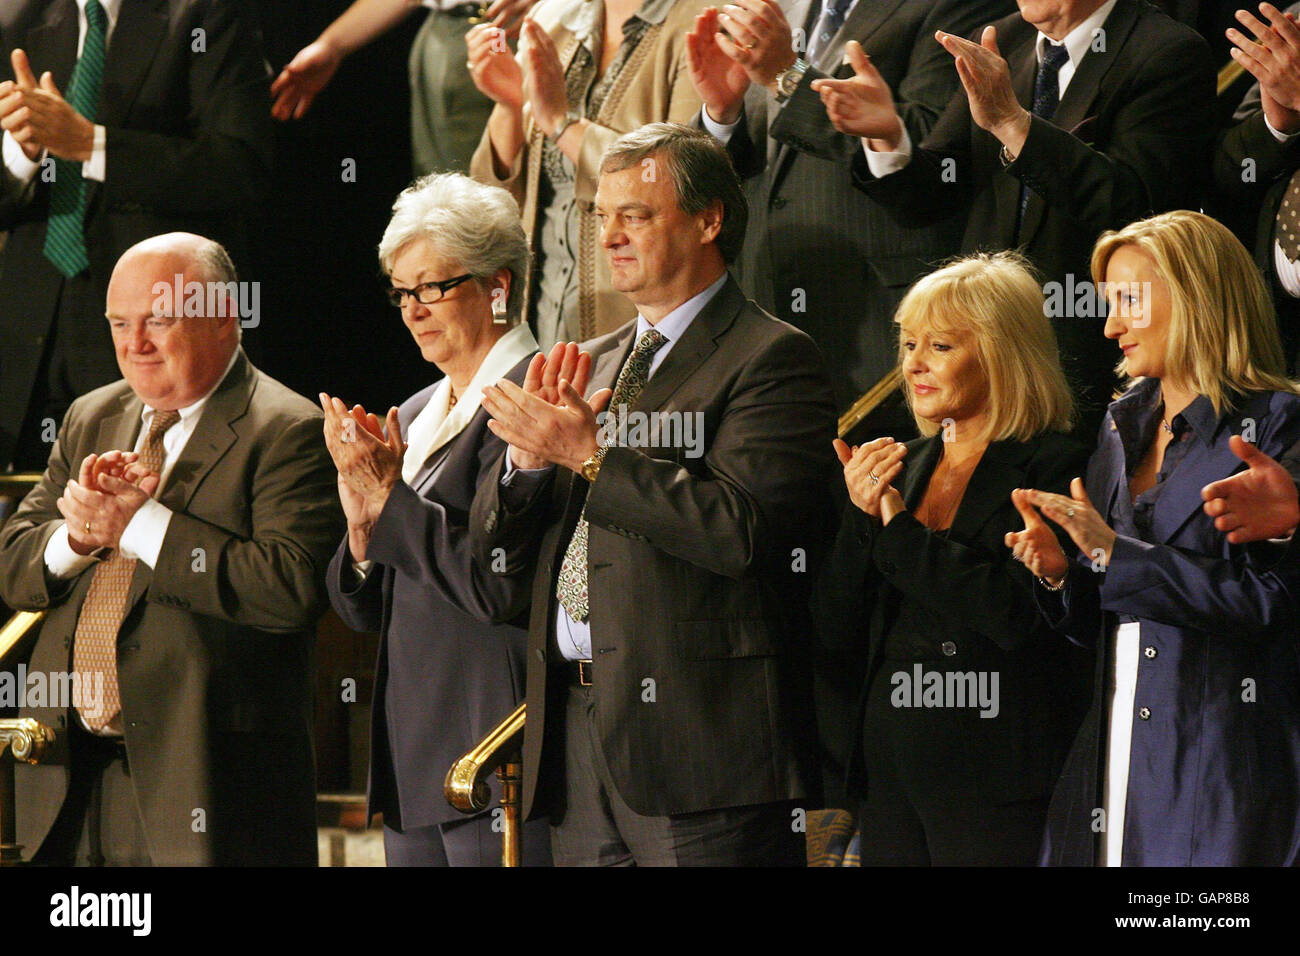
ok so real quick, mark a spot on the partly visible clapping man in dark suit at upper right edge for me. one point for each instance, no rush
(1258, 162)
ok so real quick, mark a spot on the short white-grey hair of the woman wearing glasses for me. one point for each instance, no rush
(467, 222)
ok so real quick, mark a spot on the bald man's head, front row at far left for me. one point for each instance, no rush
(168, 357)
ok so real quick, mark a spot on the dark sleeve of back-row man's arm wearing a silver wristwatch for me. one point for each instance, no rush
(922, 96)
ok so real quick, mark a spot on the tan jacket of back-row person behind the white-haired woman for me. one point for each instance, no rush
(655, 86)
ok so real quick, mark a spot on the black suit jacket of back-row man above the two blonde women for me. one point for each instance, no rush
(1130, 139)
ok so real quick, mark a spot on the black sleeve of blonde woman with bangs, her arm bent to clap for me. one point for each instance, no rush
(972, 587)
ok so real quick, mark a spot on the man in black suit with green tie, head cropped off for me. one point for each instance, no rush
(122, 122)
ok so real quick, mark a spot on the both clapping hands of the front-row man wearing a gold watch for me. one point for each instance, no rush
(541, 431)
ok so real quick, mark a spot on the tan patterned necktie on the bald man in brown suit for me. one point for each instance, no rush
(96, 644)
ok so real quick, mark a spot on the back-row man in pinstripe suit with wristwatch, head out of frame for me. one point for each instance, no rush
(821, 254)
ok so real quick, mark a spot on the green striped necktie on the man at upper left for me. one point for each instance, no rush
(66, 233)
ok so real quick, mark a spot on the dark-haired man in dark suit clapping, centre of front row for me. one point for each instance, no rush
(679, 566)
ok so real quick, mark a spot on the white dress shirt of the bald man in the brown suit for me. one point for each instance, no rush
(142, 539)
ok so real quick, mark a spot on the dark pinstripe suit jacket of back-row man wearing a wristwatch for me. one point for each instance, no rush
(818, 253)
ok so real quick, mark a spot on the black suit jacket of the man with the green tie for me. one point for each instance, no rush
(189, 142)
